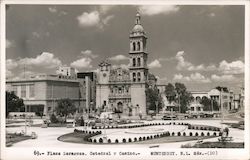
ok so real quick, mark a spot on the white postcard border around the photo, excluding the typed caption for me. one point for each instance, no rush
(27, 153)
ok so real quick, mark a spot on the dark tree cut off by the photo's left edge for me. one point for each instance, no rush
(13, 103)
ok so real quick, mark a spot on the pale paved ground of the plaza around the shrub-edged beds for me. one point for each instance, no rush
(49, 136)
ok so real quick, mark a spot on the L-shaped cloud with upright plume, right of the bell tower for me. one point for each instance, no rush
(182, 64)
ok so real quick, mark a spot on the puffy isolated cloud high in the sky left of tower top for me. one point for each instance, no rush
(93, 18)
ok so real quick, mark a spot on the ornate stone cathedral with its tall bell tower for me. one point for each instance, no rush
(122, 90)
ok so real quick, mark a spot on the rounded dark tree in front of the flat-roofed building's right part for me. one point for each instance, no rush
(65, 107)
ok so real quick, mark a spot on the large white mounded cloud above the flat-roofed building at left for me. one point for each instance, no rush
(45, 60)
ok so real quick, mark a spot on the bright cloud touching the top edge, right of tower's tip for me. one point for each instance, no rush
(154, 10)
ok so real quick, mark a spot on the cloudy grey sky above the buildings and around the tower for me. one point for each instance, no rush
(200, 46)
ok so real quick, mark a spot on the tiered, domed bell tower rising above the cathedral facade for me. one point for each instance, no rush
(138, 53)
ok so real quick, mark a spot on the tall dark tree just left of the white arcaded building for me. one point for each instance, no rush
(183, 96)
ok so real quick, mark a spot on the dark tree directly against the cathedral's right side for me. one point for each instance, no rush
(153, 96)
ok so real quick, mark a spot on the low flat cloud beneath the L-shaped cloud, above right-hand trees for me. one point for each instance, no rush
(194, 77)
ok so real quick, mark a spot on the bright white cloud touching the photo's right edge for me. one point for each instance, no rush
(235, 67)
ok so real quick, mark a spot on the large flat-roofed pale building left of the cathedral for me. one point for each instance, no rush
(41, 93)
